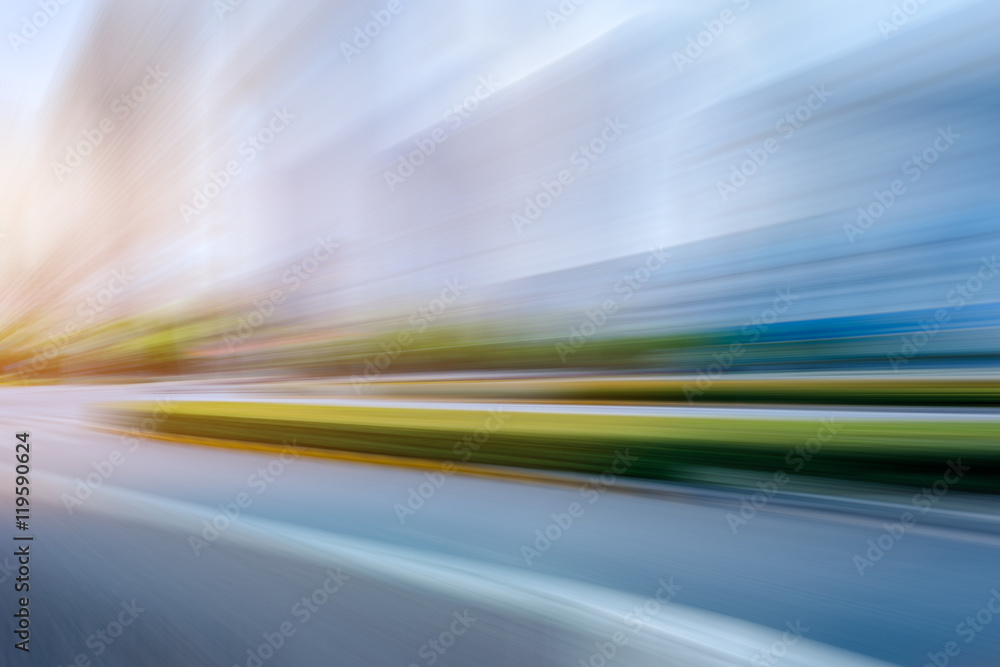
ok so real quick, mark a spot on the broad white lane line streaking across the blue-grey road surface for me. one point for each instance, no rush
(685, 635)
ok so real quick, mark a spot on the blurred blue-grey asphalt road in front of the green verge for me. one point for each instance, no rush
(403, 588)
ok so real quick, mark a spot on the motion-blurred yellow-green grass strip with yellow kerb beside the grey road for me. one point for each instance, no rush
(667, 448)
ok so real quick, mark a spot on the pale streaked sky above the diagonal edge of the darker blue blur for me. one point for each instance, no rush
(689, 116)
